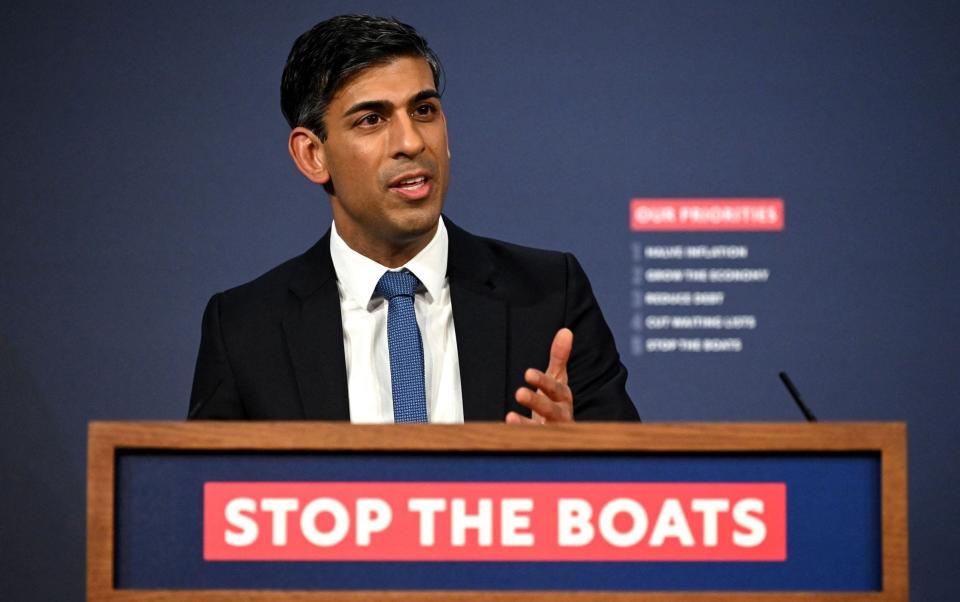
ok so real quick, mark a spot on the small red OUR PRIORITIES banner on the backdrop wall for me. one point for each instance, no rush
(689, 215)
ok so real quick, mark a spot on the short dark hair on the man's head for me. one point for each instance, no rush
(324, 58)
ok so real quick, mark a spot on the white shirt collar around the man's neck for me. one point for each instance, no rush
(358, 275)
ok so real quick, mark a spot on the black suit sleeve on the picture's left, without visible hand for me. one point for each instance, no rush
(214, 394)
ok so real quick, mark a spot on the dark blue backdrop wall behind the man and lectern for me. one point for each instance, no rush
(143, 168)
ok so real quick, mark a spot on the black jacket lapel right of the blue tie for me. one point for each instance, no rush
(480, 320)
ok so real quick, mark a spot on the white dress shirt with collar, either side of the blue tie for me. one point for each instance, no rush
(364, 316)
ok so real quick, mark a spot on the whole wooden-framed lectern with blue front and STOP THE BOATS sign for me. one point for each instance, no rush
(218, 511)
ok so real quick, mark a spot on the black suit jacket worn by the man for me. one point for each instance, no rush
(272, 349)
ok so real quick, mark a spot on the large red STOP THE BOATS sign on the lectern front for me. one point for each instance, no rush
(439, 521)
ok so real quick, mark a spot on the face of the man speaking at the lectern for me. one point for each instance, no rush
(387, 156)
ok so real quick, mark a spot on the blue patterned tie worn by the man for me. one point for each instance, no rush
(406, 348)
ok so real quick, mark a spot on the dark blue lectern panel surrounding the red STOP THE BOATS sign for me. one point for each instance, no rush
(832, 521)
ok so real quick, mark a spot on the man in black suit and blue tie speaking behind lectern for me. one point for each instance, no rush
(396, 314)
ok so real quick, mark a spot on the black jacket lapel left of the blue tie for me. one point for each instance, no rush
(314, 335)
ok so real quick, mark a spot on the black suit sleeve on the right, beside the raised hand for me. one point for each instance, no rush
(597, 377)
